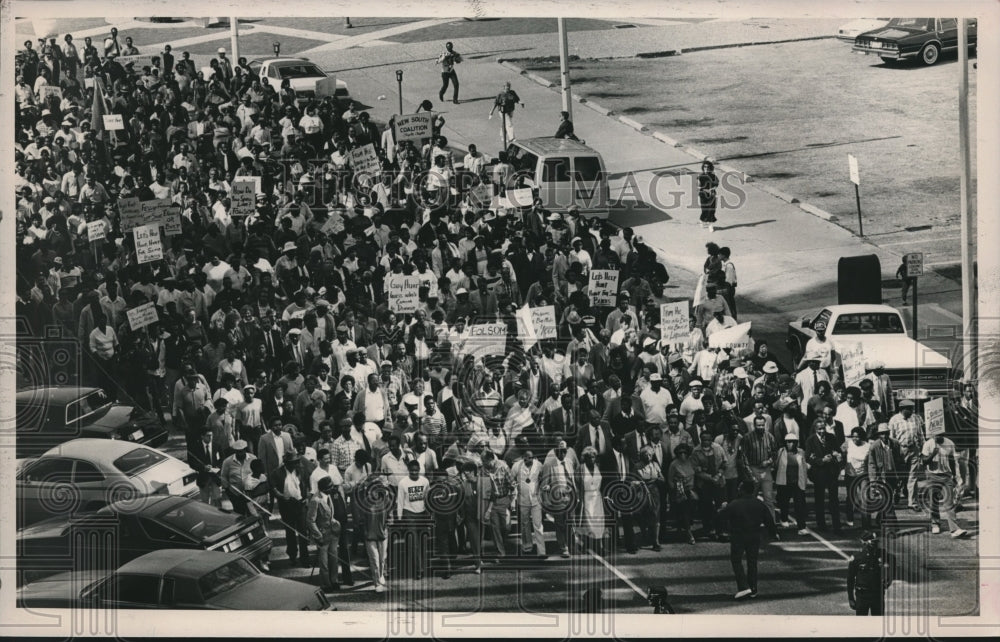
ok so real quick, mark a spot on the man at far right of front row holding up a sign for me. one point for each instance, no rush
(943, 473)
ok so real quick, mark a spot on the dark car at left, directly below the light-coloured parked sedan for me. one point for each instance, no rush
(125, 530)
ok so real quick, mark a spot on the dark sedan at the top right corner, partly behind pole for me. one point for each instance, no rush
(908, 38)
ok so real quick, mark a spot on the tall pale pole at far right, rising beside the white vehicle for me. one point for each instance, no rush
(968, 249)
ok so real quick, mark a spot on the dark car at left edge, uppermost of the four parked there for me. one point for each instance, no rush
(52, 415)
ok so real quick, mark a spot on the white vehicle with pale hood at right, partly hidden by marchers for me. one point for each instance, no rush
(882, 334)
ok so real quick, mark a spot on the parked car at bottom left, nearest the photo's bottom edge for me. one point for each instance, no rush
(175, 579)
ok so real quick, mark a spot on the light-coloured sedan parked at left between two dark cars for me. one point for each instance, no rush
(87, 474)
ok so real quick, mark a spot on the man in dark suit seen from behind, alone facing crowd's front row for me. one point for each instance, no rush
(744, 517)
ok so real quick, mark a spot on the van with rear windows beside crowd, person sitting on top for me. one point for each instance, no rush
(563, 173)
